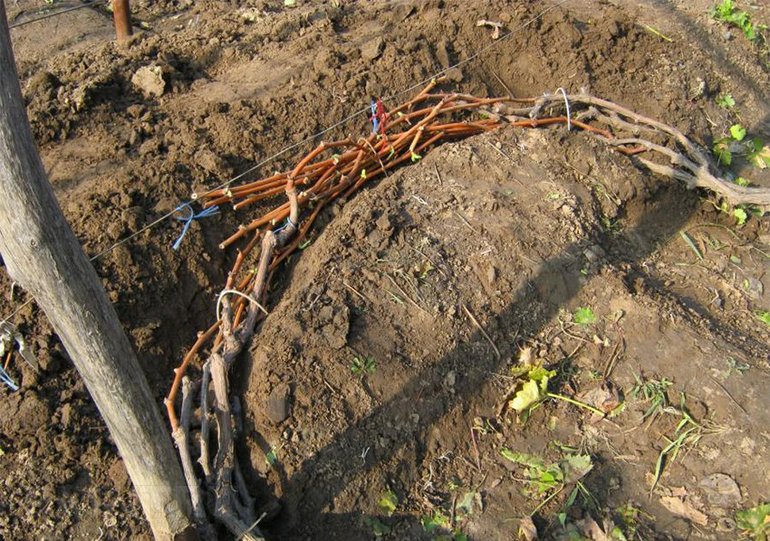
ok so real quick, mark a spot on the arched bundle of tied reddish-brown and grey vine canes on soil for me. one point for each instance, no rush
(333, 171)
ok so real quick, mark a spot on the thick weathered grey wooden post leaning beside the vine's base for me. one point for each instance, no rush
(43, 255)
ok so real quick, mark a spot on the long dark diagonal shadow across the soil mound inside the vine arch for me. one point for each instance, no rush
(316, 491)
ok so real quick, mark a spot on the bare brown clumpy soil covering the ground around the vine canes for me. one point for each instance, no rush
(445, 274)
